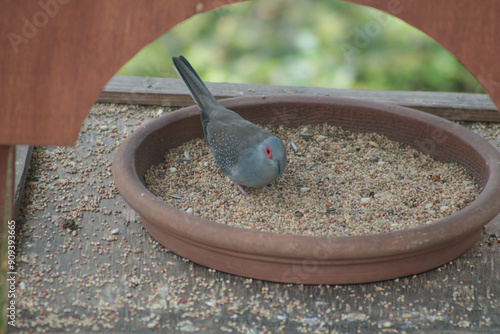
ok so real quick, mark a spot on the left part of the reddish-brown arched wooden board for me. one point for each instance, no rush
(57, 55)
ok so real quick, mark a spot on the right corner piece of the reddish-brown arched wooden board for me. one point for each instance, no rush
(468, 29)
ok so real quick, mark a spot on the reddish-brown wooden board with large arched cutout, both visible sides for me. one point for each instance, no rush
(57, 55)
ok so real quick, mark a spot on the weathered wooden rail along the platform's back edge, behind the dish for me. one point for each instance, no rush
(173, 92)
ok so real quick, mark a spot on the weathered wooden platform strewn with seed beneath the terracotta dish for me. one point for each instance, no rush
(105, 273)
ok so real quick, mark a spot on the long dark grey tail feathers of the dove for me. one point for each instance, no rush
(200, 93)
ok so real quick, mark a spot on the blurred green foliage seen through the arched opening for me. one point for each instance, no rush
(319, 43)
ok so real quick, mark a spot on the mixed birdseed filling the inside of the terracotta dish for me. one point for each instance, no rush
(337, 183)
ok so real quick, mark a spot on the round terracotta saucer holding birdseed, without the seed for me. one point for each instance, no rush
(313, 260)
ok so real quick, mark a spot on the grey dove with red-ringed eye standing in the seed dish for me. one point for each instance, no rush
(247, 154)
